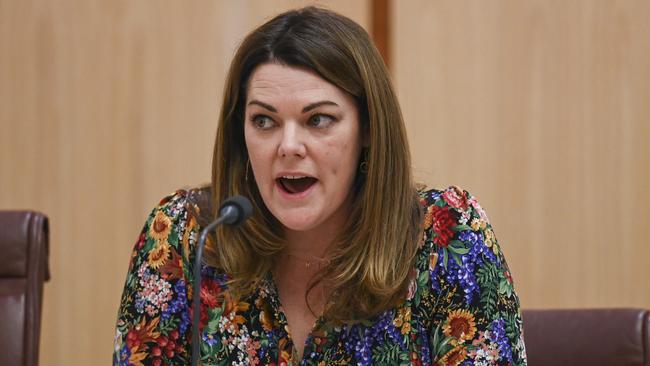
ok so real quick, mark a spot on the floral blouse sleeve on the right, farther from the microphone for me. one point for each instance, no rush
(474, 311)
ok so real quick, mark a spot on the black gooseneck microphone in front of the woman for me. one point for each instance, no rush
(233, 211)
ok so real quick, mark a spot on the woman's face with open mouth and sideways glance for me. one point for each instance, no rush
(304, 141)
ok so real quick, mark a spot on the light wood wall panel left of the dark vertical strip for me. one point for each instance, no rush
(105, 107)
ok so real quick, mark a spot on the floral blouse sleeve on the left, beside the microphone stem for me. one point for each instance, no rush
(153, 322)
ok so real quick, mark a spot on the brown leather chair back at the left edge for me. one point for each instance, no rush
(23, 269)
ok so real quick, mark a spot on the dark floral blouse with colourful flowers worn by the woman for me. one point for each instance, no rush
(461, 307)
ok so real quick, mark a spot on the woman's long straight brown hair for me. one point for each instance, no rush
(373, 255)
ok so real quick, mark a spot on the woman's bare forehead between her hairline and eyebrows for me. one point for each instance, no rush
(275, 81)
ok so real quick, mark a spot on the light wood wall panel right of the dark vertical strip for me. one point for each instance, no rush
(542, 110)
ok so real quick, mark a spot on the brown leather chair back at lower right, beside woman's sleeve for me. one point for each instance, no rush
(579, 337)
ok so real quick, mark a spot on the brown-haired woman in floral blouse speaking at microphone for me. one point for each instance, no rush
(344, 261)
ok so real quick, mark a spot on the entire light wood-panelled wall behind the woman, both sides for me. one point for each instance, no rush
(539, 108)
